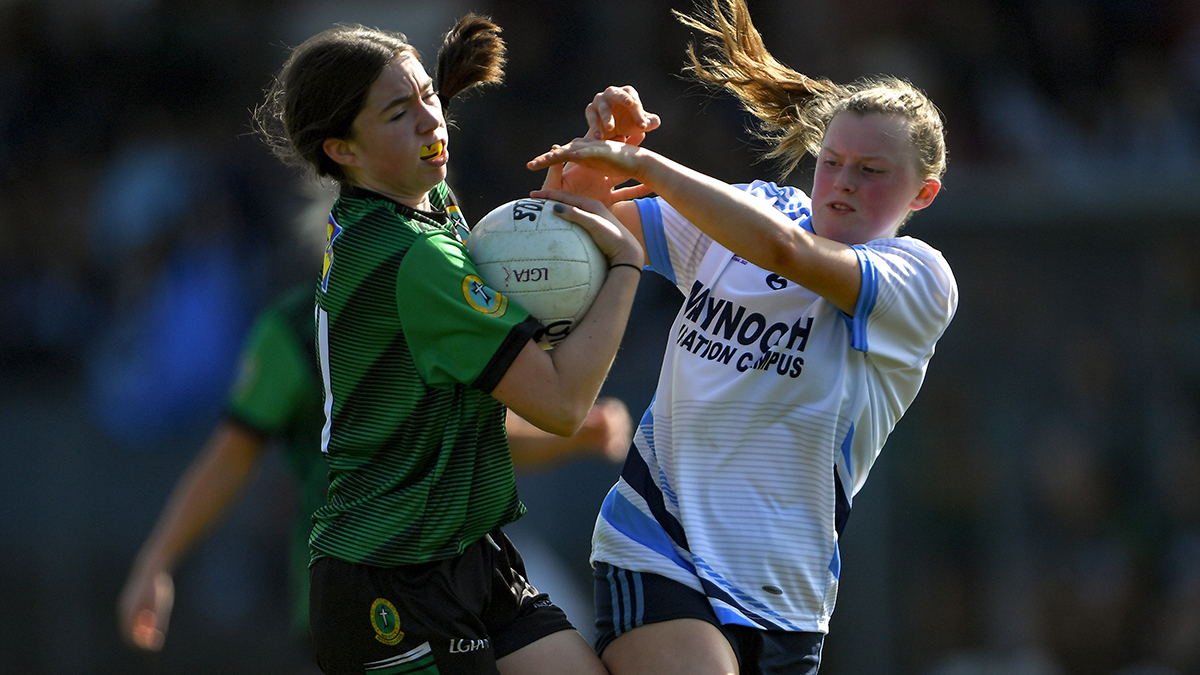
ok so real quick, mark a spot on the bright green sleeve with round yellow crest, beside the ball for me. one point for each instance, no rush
(459, 330)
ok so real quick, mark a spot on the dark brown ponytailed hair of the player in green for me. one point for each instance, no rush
(325, 83)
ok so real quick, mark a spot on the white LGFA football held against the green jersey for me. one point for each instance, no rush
(549, 266)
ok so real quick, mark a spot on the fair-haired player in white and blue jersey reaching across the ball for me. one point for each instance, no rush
(806, 333)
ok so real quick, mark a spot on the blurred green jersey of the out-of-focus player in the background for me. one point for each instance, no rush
(278, 396)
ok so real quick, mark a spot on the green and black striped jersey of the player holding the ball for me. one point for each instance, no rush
(411, 345)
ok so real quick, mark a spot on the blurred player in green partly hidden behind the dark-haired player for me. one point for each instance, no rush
(278, 397)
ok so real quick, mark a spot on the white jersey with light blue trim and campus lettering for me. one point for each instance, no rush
(771, 409)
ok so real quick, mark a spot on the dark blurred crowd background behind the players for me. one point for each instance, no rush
(1037, 511)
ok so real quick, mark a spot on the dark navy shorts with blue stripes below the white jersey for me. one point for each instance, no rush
(627, 600)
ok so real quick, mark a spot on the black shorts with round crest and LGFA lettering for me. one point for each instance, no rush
(449, 617)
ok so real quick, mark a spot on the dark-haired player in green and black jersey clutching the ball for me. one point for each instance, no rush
(419, 360)
